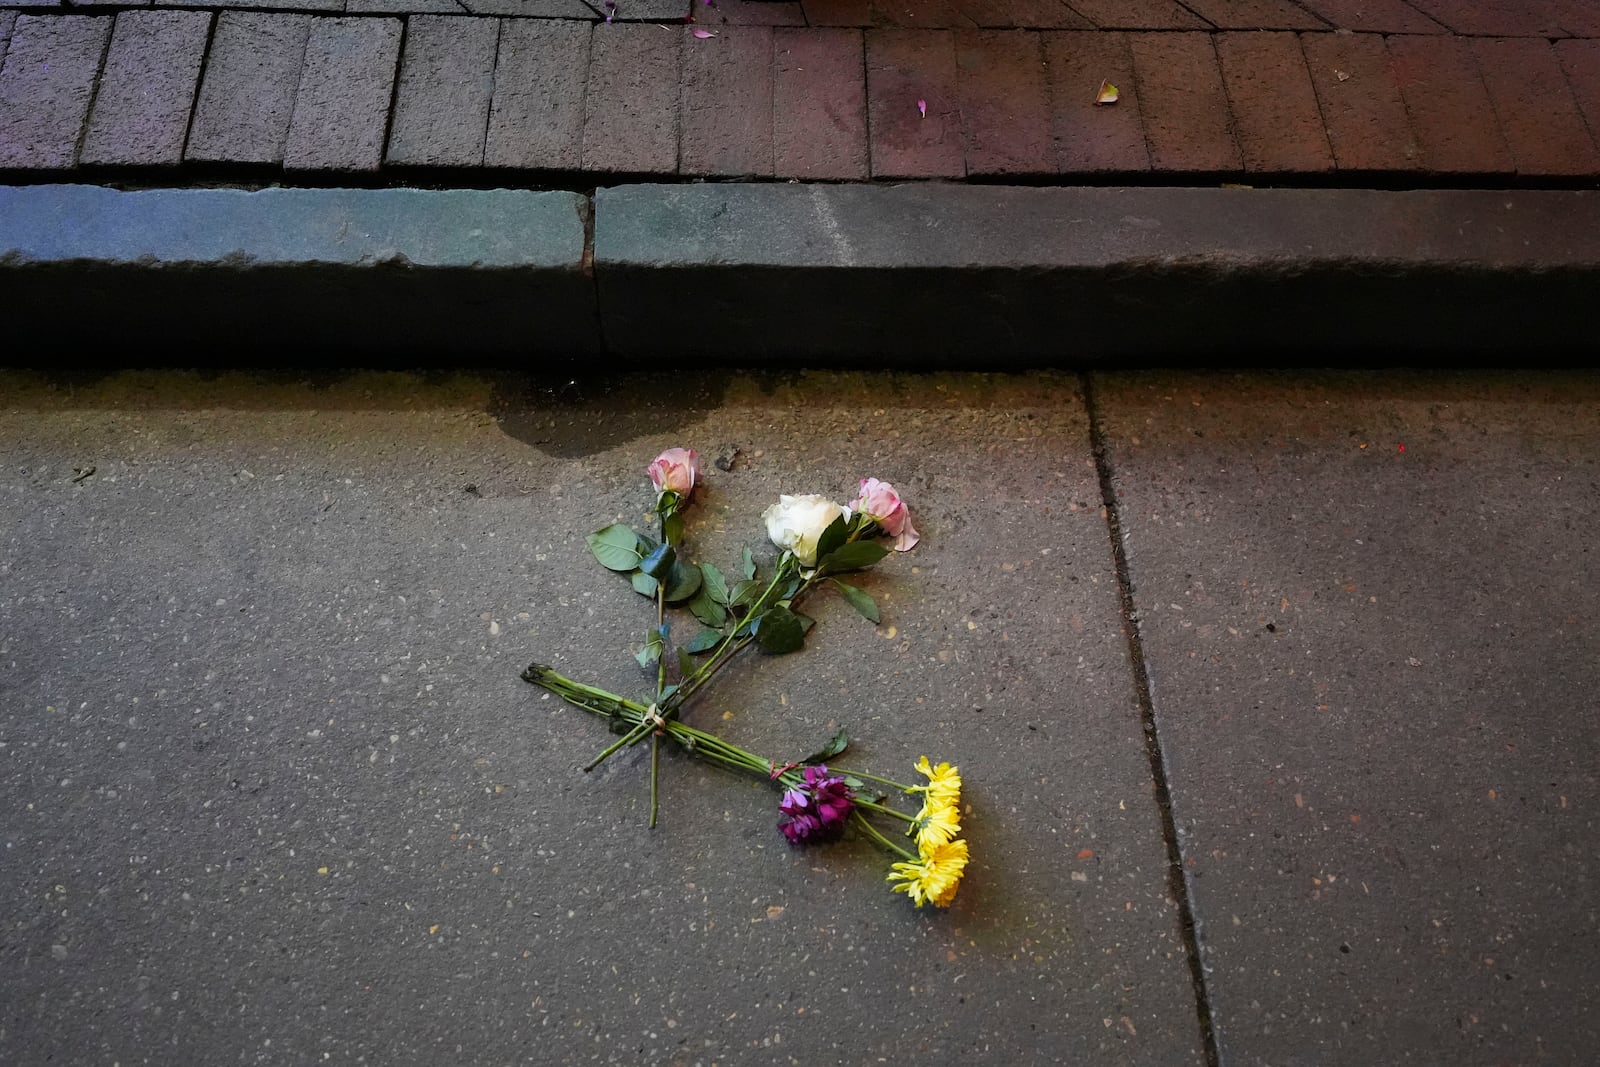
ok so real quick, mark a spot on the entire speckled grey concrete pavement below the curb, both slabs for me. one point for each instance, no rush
(278, 794)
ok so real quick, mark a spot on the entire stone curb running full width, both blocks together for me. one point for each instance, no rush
(910, 276)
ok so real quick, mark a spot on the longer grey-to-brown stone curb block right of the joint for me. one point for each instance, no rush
(974, 276)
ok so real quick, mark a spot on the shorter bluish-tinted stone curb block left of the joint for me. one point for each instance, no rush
(289, 274)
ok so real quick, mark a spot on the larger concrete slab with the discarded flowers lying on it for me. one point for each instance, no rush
(278, 794)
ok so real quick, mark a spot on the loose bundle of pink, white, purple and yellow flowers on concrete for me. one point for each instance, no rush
(818, 541)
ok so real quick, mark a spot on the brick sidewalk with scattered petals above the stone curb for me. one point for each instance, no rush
(846, 90)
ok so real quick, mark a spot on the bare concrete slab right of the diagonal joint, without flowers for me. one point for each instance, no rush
(1367, 610)
